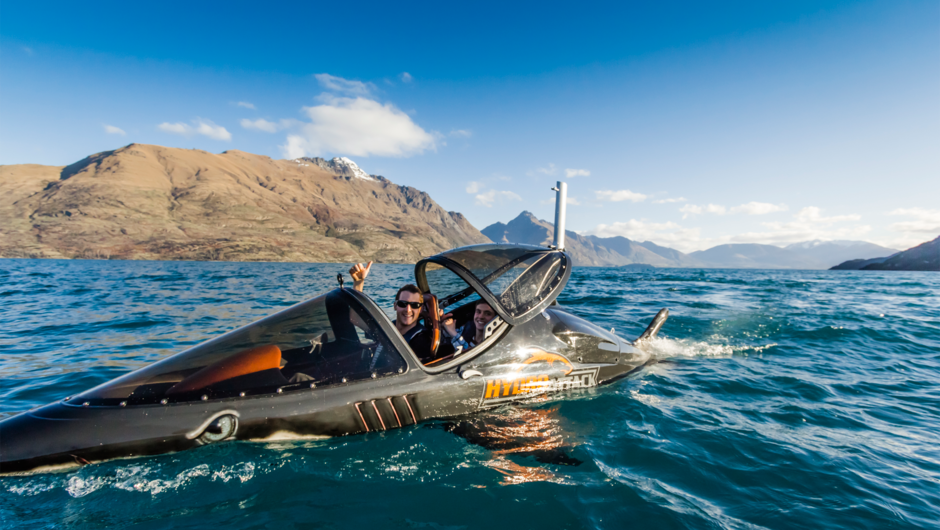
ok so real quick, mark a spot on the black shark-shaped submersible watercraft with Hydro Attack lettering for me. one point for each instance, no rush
(335, 365)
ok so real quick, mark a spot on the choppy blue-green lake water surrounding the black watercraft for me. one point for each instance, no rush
(787, 399)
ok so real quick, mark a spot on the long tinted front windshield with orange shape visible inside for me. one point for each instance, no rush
(323, 341)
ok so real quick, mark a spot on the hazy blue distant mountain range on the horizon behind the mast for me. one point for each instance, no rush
(617, 251)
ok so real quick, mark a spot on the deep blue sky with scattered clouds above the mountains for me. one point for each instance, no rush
(774, 122)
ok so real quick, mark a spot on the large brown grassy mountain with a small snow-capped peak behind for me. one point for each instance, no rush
(152, 202)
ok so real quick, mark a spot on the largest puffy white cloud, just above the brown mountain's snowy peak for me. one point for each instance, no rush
(358, 127)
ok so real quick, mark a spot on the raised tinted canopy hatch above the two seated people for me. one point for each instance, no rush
(518, 281)
